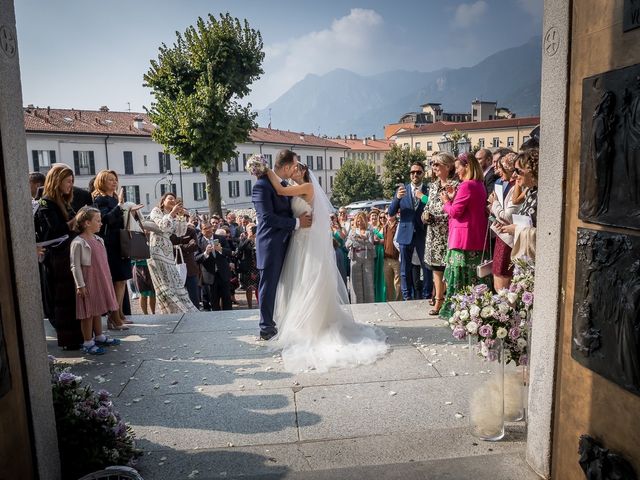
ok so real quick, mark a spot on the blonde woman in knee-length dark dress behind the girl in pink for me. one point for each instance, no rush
(111, 208)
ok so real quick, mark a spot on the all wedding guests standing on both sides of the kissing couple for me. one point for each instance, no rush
(436, 237)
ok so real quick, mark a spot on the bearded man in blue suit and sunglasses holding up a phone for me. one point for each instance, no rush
(411, 232)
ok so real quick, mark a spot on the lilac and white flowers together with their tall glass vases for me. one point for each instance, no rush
(497, 326)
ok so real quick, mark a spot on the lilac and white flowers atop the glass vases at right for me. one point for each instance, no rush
(503, 316)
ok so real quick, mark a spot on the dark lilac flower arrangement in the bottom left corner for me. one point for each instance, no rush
(91, 434)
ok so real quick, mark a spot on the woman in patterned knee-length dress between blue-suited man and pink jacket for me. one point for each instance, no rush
(437, 221)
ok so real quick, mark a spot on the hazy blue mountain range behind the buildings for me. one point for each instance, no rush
(343, 102)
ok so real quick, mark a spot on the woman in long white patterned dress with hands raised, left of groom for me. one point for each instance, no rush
(171, 295)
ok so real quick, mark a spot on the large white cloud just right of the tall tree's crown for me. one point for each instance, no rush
(353, 42)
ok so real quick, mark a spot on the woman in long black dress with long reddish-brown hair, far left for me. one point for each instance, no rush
(54, 219)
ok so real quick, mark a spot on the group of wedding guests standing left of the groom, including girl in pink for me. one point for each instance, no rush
(195, 262)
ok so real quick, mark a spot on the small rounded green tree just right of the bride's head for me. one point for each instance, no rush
(356, 180)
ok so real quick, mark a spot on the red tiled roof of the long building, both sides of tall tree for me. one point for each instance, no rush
(87, 122)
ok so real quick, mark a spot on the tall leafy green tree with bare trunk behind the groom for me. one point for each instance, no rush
(197, 83)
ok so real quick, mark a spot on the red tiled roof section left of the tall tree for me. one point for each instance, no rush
(45, 120)
